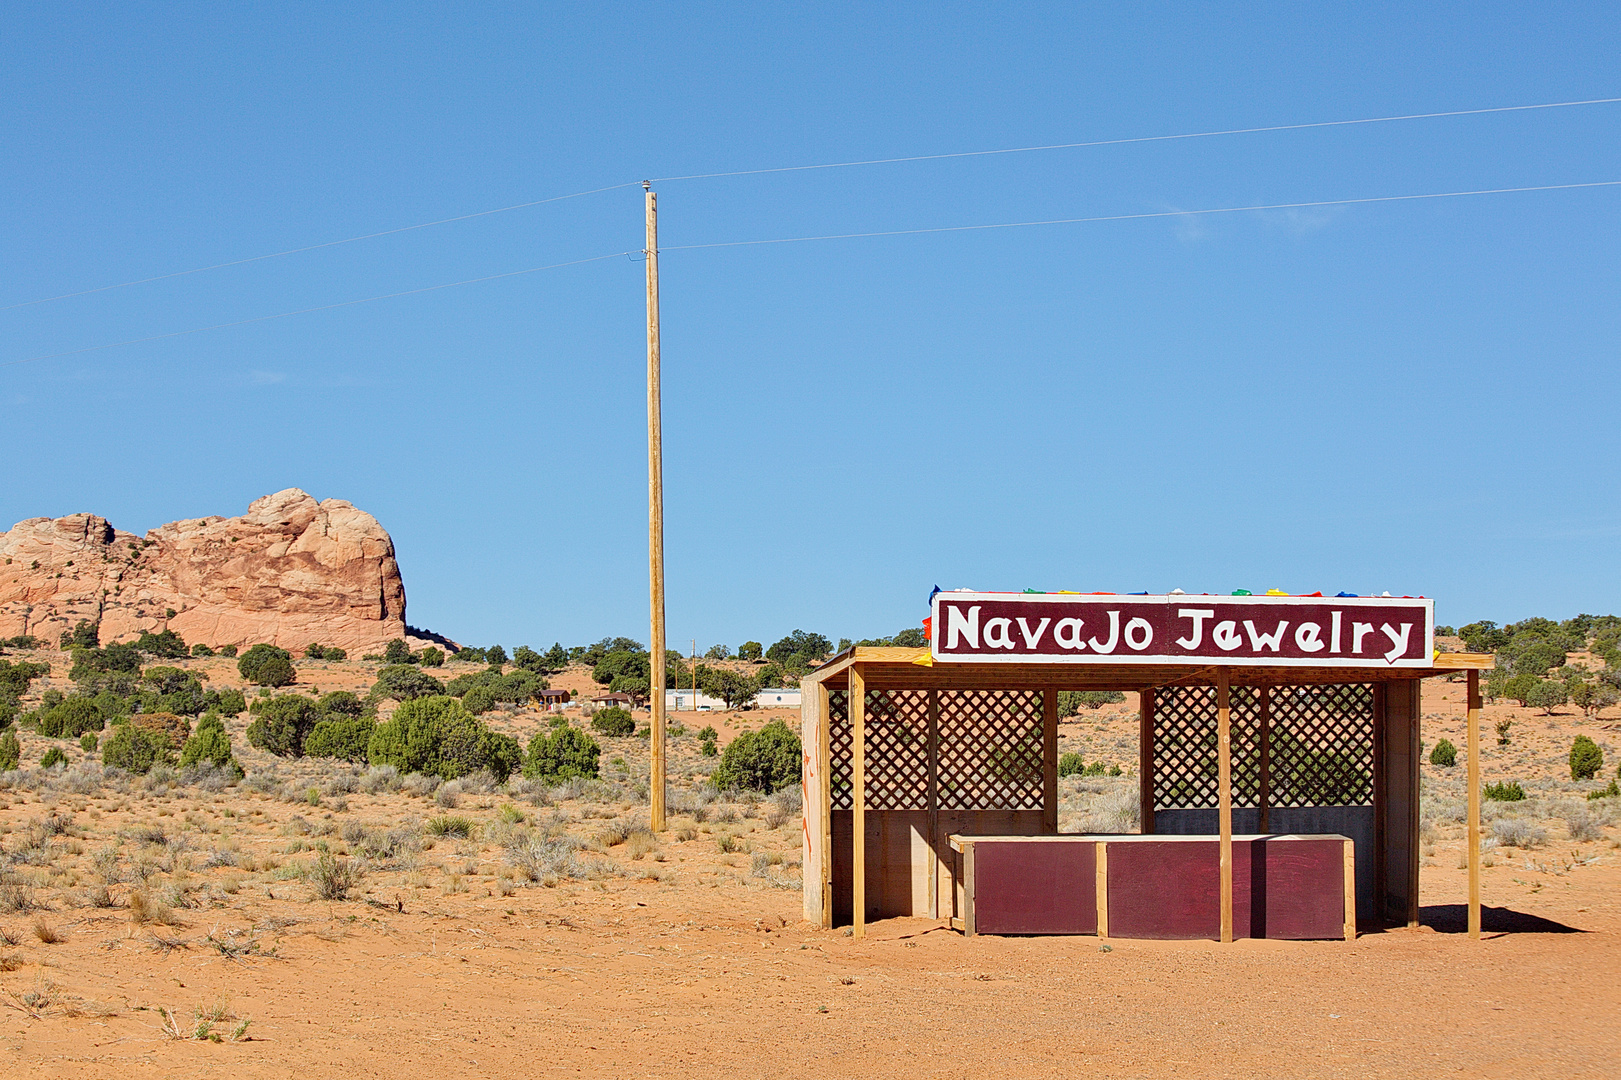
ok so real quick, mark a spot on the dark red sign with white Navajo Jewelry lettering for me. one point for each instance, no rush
(1252, 632)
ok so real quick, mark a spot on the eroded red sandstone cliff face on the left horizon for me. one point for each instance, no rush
(291, 572)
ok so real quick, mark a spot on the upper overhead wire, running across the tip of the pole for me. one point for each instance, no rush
(844, 165)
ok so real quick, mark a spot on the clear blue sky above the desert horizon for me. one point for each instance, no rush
(1413, 396)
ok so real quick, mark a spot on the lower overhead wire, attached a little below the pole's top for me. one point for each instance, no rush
(839, 236)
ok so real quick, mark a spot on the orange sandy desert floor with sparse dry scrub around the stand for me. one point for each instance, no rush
(173, 927)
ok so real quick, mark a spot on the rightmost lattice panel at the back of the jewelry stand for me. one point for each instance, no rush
(1324, 747)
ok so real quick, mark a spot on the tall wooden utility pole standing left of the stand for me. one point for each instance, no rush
(656, 518)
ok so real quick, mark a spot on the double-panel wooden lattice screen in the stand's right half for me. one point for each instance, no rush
(1320, 747)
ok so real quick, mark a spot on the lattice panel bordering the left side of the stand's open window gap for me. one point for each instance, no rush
(991, 750)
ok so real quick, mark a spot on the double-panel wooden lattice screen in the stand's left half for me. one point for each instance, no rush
(990, 753)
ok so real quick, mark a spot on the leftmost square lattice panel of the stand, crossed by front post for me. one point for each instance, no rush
(897, 724)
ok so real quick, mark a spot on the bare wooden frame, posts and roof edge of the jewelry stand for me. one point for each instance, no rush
(900, 862)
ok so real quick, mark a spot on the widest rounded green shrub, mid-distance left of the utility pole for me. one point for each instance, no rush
(438, 737)
